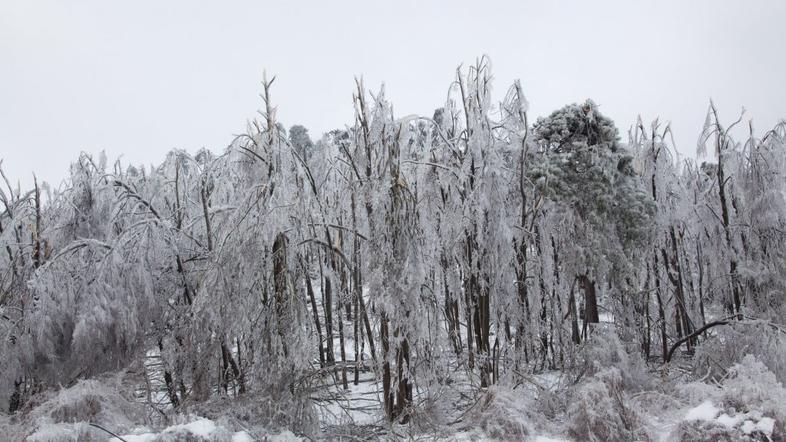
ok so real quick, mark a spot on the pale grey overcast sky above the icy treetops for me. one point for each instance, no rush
(138, 78)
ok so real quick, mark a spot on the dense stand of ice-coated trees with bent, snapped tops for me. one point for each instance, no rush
(473, 244)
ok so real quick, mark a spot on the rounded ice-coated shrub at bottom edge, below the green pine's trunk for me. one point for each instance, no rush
(601, 411)
